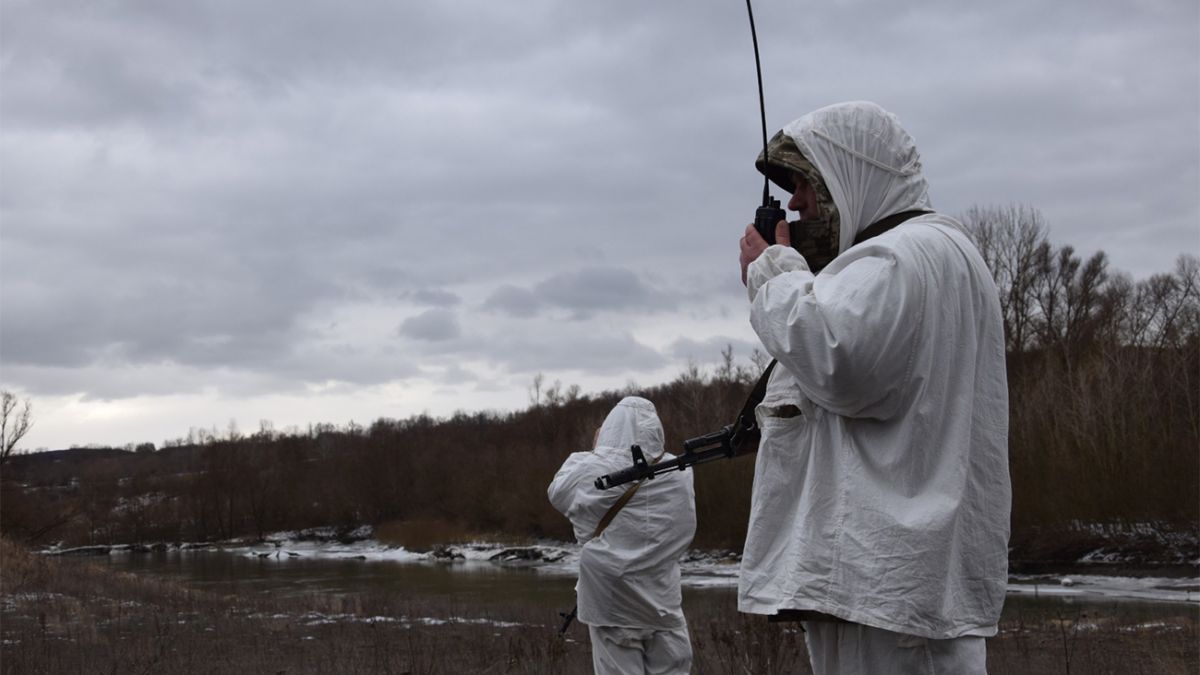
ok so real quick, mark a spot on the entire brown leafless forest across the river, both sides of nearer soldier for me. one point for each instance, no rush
(1103, 372)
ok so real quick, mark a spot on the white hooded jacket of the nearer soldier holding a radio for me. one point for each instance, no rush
(887, 501)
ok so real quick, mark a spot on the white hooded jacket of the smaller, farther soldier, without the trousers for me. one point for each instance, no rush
(629, 576)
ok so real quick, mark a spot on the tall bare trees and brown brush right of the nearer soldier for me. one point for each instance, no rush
(1103, 375)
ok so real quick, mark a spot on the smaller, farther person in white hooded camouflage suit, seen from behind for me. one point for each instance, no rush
(629, 568)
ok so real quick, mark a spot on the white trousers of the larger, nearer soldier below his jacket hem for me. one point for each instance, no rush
(854, 649)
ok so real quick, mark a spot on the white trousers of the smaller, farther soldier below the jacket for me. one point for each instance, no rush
(635, 652)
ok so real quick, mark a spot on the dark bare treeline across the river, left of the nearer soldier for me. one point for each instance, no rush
(473, 473)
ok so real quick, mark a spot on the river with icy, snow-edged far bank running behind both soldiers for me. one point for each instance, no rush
(479, 583)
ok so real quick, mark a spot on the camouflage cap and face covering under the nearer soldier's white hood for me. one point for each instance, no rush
(817, 240)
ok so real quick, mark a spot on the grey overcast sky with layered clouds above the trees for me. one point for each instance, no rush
(325, 212)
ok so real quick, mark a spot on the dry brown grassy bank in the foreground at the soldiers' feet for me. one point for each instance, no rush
(68, 617)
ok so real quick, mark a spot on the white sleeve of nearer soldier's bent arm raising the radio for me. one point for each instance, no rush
(848, 336)
